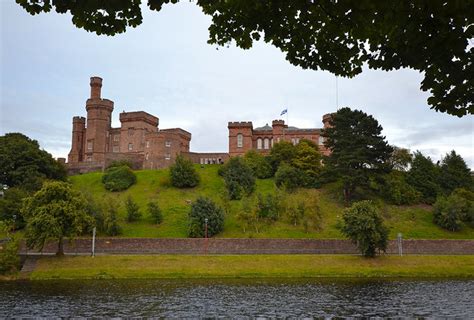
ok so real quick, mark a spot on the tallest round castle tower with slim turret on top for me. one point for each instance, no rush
(99, 114)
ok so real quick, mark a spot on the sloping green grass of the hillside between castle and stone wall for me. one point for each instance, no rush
(413, 222)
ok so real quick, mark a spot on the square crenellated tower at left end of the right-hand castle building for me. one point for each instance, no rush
(240, 138)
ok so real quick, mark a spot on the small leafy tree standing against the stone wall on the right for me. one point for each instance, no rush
(363, 224)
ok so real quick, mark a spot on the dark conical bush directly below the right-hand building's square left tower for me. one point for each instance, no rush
(238, 177)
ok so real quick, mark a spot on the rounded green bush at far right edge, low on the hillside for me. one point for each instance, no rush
(449, 212)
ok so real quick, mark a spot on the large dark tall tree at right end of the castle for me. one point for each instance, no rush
(358, 149)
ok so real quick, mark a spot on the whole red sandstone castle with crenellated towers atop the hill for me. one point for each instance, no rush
(95, 144)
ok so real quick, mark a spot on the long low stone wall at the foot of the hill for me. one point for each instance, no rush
(250, 246)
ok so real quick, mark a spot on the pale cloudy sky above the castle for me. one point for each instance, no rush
(166, 68)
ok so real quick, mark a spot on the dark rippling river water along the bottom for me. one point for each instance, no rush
(243, 299)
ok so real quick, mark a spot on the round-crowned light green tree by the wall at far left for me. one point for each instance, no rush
(55, 212)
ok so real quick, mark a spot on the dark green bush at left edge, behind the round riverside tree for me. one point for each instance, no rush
(10, 207)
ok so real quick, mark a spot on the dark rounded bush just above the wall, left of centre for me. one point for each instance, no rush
(201, 209)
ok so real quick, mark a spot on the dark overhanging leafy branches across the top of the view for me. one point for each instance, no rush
(431, 37)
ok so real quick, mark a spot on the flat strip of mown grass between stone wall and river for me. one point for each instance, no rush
(251, 266)
